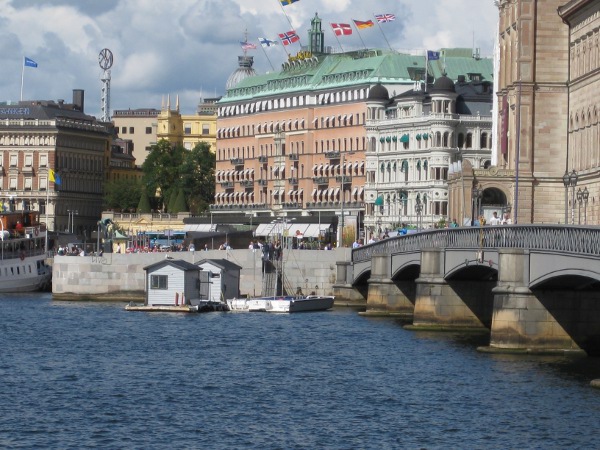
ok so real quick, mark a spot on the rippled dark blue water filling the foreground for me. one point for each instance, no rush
(79, 375)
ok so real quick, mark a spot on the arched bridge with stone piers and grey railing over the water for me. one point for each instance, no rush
(535, 287)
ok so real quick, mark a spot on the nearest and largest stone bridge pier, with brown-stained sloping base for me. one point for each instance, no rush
(521, 321)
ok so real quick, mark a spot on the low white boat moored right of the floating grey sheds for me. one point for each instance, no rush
(287, 304)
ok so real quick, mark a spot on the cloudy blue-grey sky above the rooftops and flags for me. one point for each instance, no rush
(190, 47)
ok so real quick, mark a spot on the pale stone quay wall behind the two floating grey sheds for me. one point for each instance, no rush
(121, 277)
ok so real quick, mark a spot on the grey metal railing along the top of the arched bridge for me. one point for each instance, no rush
(559, 238)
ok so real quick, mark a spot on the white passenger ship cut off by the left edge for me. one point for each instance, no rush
(23, 253)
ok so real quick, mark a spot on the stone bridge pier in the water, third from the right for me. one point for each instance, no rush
(386, 296)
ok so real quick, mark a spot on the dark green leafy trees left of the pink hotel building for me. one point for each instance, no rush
(173, 169)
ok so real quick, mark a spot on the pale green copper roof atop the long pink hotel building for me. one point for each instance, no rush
(339, 70)
